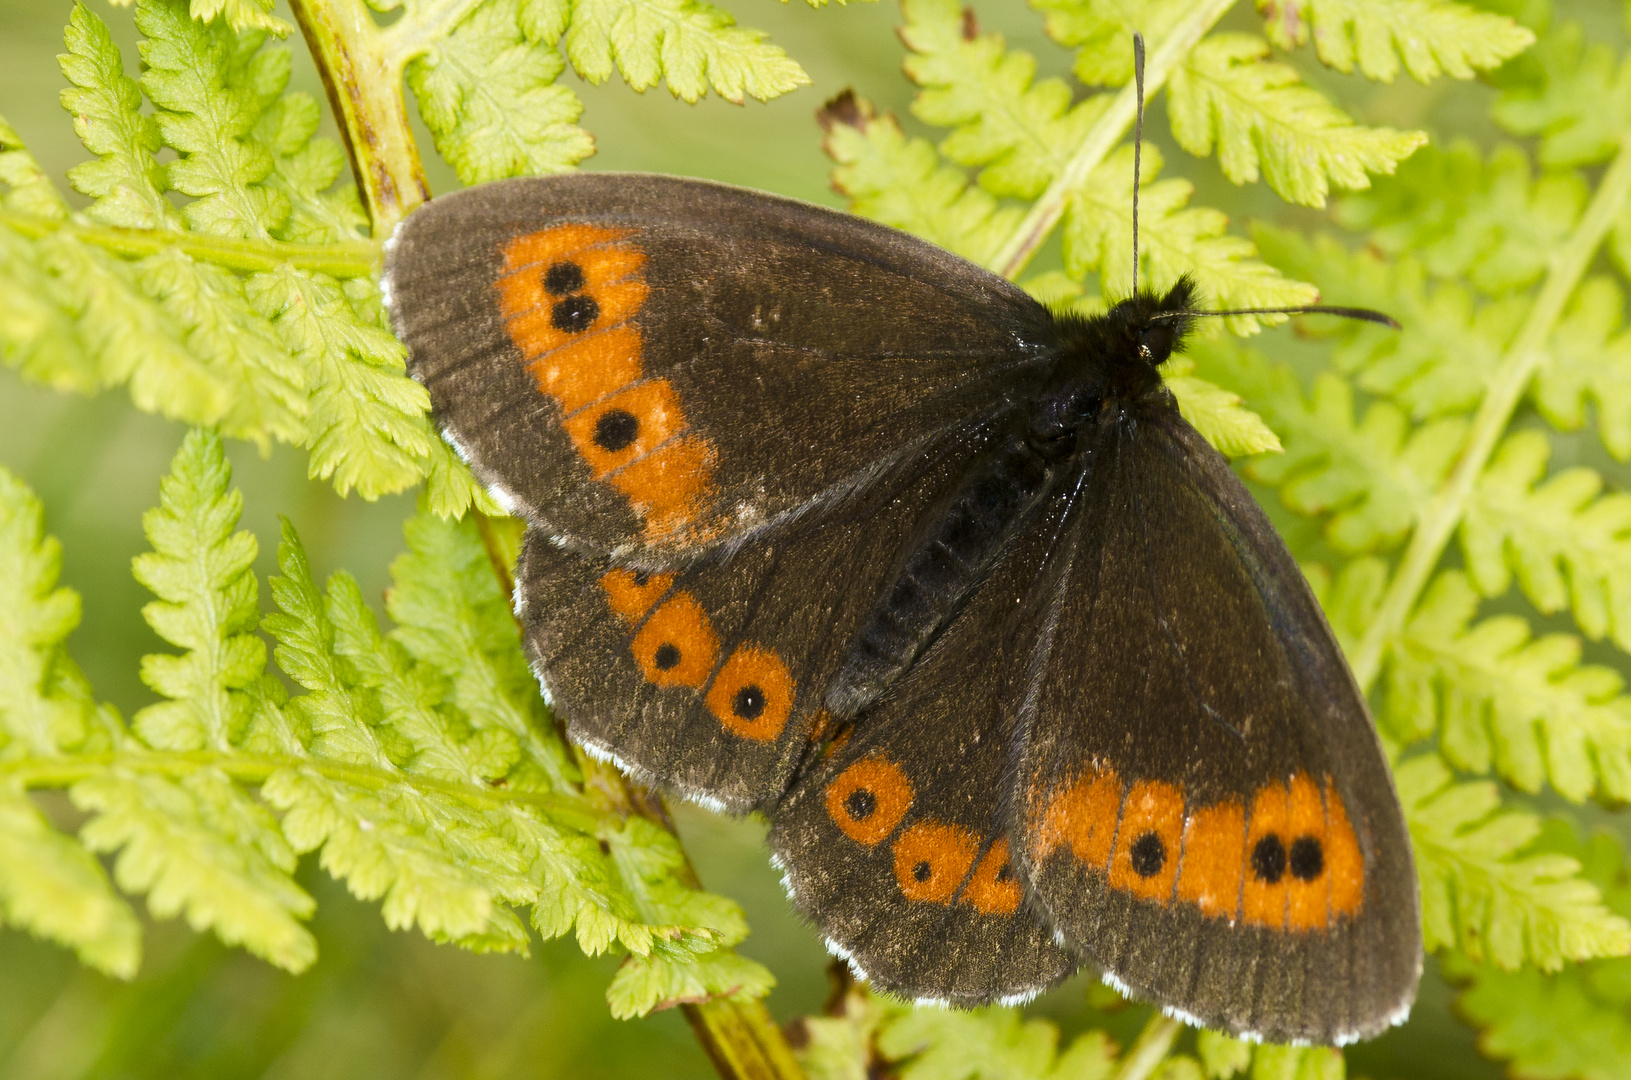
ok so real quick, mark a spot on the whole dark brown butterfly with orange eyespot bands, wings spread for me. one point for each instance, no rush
(831, 525)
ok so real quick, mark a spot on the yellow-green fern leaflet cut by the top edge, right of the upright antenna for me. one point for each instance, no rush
(1430, 38)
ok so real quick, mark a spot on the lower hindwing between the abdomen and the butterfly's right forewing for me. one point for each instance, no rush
(896, 841)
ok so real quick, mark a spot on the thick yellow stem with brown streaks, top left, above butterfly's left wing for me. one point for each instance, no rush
(365, 82)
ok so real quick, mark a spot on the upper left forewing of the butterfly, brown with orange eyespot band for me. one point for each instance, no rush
(650, 366)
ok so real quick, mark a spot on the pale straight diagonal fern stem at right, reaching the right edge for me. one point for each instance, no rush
(1506, 389)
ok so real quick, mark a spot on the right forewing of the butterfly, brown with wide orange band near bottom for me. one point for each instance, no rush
(1201, 803)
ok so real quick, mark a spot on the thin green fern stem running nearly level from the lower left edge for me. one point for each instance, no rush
(69, 769)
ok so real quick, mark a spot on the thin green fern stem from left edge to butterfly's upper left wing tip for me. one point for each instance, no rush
(338, 260)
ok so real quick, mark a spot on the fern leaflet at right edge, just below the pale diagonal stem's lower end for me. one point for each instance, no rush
(1503, 702)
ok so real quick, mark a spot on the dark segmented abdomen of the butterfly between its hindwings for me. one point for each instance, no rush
(950, 557)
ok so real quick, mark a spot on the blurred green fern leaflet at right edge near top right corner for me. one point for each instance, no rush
(1580, 100)
